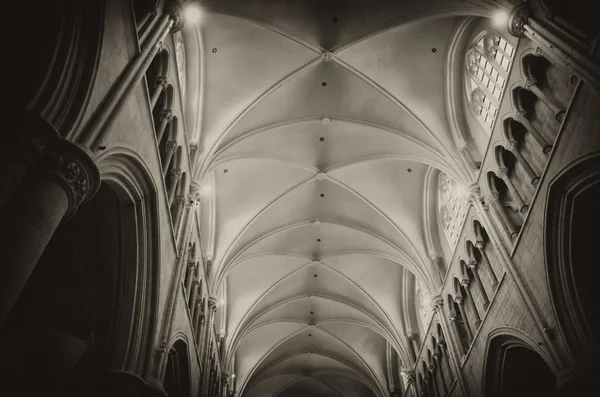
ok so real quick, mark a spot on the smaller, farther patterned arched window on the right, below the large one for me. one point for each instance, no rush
(452, 207)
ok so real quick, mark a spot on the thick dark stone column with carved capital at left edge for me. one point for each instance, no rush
(62, 177)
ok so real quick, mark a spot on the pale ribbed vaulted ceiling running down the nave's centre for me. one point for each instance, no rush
(319, 124)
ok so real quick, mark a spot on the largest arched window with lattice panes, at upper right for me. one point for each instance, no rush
(487, 65)
